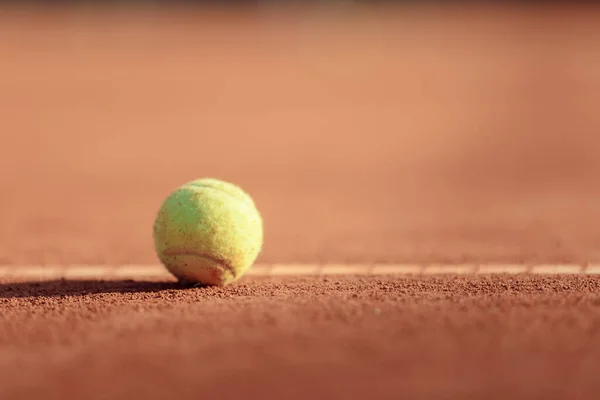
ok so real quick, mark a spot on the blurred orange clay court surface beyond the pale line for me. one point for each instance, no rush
(366, 132)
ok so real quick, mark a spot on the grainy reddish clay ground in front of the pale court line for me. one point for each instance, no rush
(318, 338)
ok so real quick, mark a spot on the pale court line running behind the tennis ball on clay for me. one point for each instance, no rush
(93, 272)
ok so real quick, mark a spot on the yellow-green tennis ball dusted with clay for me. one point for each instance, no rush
(208, 232)
